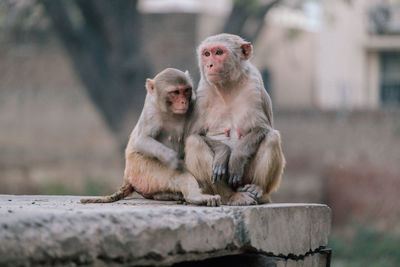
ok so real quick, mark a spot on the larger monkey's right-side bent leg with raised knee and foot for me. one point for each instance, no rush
(266, 168)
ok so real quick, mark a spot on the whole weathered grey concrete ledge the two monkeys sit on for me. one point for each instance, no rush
(57, 230)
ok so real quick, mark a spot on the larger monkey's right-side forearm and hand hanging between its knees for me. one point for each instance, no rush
(243, 152)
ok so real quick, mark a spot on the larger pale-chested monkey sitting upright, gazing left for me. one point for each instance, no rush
(233, 149)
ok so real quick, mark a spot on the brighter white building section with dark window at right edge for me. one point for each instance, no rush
(359, 63)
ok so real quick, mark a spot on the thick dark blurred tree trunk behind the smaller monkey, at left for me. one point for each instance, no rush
(103, 40)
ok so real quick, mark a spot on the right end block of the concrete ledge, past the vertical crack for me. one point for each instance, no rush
(295, 230)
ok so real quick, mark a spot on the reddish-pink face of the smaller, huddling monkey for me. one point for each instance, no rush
(179, 99)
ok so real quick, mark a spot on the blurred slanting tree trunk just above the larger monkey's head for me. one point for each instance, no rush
(247, 18)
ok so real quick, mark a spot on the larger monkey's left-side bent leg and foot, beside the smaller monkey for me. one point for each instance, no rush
(199, 159)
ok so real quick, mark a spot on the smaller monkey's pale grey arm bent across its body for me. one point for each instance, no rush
(150, 147)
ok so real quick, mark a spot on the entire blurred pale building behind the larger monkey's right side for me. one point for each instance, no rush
(338, 55)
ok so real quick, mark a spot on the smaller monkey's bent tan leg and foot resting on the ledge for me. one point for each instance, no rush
(151, 178)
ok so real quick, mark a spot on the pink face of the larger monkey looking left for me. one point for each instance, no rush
(214, 58)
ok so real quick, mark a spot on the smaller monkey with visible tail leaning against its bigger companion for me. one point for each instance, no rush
(154, 155)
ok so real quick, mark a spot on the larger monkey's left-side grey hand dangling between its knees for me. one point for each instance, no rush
(220, 162)
